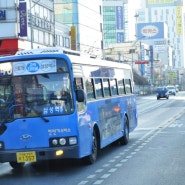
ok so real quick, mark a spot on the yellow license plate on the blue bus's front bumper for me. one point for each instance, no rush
(26, 157)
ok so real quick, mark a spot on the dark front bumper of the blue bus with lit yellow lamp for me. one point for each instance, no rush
(39, 154)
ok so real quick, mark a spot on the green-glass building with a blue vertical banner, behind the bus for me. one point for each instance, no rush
(115, 22)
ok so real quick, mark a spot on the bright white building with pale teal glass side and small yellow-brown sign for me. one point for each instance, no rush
(84, 17)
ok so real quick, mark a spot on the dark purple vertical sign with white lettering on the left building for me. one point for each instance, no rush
(23, 19)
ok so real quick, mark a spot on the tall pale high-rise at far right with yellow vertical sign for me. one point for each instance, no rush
(171, 13)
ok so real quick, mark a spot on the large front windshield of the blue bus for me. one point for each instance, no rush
(35, 95)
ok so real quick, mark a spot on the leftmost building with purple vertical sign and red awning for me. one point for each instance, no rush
(30, 24)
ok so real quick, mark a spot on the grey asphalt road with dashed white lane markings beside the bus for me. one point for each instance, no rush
(154, 155)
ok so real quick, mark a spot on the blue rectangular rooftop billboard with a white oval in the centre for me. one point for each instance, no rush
(155, 30)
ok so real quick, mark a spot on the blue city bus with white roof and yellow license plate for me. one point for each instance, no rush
(56, 104)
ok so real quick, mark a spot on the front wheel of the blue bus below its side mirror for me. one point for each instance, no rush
(90, 159)
